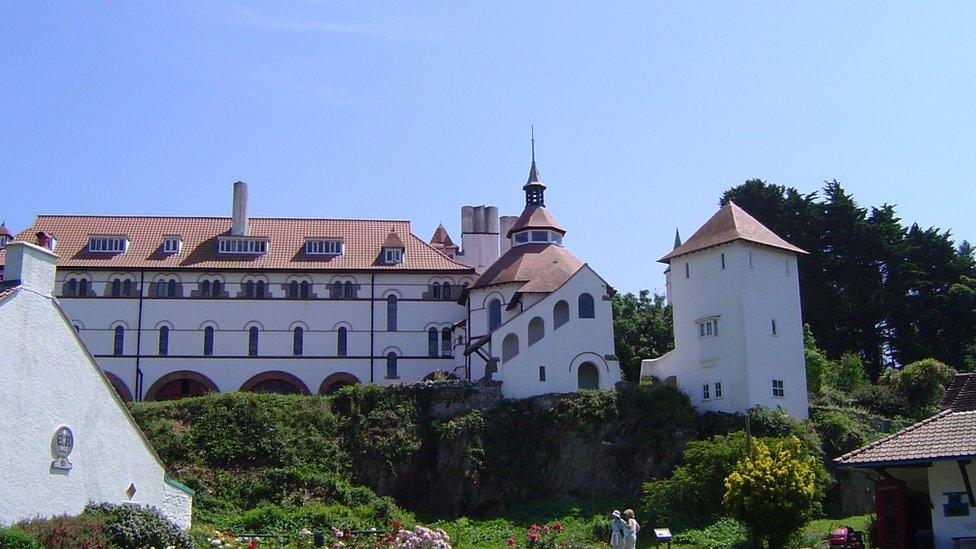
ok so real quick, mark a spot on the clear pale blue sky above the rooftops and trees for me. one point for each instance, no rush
(644, 112)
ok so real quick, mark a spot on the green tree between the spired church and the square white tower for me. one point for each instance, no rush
(642, 329)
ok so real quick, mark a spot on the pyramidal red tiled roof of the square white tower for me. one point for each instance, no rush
(728, 224)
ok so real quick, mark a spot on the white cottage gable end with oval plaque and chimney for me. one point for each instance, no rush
(66, 437)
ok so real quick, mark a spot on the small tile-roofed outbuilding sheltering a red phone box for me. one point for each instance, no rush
(925, 475)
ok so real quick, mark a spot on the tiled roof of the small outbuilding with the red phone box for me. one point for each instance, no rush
(947, 435)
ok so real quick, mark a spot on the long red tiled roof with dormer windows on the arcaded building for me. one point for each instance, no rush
(362, 243)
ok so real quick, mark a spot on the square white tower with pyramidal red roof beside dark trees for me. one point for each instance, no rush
(738, 332)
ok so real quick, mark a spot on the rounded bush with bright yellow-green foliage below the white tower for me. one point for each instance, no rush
(773, 491)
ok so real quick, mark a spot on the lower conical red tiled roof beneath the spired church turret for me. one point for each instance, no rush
(542, 267)
